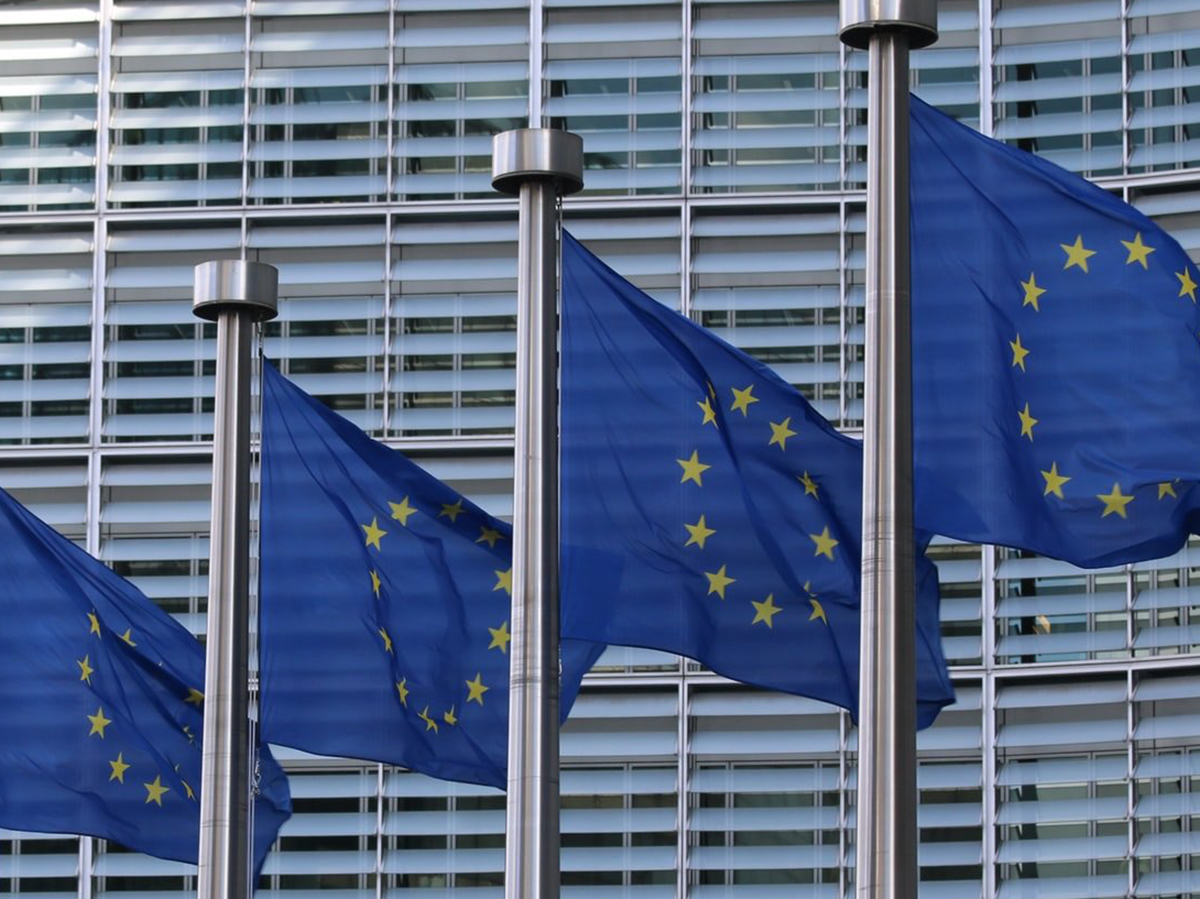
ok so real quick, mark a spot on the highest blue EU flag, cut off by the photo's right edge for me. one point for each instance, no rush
(1057, 363)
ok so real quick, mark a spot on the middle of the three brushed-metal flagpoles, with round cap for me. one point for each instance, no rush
(539, 166)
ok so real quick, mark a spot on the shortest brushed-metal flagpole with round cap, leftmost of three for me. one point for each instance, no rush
(236, 295)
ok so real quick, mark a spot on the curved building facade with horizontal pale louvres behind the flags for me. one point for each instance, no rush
(349, 143)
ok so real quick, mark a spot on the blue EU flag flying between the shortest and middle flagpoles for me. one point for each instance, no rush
(386, 603)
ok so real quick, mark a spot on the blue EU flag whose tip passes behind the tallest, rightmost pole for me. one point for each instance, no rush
(709, 511)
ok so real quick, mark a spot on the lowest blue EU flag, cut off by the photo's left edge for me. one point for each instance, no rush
(101, 705)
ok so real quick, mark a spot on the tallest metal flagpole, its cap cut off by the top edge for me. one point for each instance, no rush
(886, 854)
